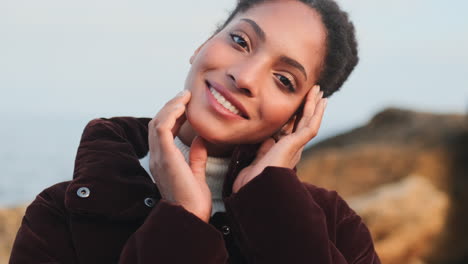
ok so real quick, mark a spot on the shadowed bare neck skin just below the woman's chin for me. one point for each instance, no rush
(187, 134)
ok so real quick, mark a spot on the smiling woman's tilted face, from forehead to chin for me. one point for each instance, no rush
(248, 80)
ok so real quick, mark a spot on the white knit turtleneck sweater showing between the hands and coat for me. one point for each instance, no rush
(216, 169)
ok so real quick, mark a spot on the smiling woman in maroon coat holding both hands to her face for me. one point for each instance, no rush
(221, 154)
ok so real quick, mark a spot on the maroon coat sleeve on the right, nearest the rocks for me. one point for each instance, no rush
(278, 220)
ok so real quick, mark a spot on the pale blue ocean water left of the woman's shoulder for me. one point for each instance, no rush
(35, 153)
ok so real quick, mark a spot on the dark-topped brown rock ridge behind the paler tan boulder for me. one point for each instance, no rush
(394, 144)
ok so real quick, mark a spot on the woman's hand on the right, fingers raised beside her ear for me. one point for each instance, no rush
(286, 152)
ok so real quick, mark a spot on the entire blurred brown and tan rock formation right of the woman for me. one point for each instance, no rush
(394, 145)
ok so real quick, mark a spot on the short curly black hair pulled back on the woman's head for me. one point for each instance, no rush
(341, 52)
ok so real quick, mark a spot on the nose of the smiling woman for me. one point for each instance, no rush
(247, 76)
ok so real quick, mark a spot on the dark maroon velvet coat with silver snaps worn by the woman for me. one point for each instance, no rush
(119, 216)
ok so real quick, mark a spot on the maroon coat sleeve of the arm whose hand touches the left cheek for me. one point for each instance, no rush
(172, 234)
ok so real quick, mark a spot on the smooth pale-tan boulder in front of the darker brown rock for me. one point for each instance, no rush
(402, 232)
